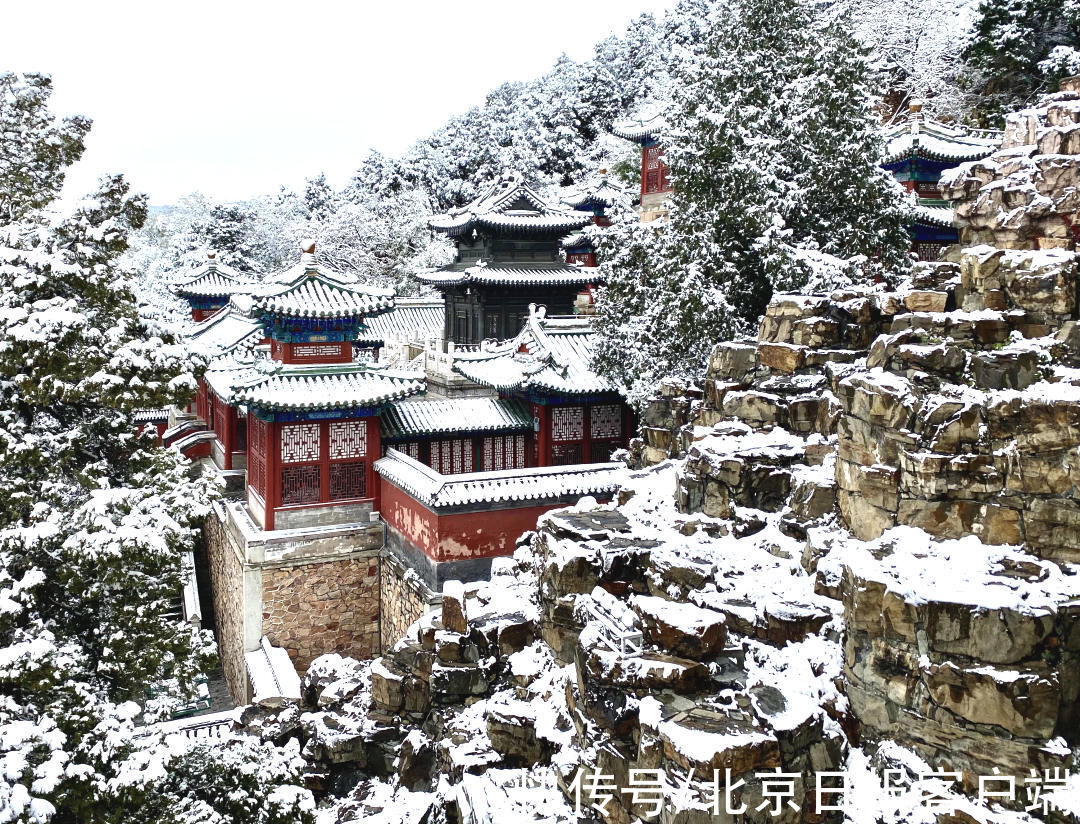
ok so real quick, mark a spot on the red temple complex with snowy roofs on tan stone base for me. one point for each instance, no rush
(341, 476)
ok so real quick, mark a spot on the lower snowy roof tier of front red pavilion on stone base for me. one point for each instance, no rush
(292, 388)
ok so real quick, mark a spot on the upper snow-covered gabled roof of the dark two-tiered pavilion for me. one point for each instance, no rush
(509, 204)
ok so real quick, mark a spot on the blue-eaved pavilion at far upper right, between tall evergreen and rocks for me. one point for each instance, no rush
(919, 151)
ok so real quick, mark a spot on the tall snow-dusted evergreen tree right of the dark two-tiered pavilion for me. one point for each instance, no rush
(775, 153)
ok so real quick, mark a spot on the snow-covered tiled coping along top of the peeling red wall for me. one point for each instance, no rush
(534, 485)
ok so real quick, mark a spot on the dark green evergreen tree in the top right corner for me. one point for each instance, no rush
(1020, 50)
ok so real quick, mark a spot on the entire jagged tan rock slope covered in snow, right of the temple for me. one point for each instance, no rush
(854, 548)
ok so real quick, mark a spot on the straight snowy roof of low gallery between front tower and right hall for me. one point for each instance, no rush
(410, 418)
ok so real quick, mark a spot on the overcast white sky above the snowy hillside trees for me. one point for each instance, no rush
(235, 99)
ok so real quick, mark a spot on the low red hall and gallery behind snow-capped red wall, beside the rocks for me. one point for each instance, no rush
(464, 478)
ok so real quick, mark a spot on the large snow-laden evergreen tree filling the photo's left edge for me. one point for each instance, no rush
(93, 517)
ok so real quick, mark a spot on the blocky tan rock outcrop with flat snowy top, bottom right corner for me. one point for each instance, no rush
(968, 655)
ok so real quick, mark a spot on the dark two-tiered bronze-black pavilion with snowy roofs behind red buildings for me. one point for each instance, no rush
(508, 256)
